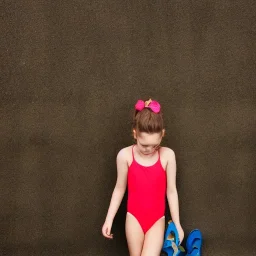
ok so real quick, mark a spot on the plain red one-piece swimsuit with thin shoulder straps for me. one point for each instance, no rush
(146, 192)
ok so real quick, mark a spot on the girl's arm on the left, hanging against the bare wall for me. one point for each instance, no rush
(118, 193)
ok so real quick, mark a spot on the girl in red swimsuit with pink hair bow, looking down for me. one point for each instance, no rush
(150, 171)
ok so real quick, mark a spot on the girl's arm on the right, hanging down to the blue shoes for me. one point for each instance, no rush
(172, 194)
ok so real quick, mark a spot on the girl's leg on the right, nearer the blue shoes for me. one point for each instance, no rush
(154, 239)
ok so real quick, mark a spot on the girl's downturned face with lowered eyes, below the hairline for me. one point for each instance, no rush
(148, 143)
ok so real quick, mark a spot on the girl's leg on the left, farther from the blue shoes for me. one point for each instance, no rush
(134, 235)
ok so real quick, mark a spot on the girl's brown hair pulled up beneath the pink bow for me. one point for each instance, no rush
(148, 121)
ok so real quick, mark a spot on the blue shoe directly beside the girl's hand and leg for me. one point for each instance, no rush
(171, 241)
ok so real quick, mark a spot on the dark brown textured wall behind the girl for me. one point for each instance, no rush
(70, 73)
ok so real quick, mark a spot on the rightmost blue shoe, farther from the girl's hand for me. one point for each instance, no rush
(194, 243)
